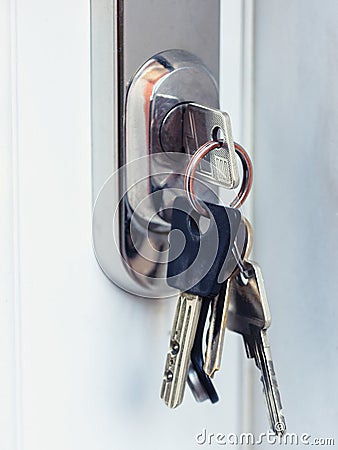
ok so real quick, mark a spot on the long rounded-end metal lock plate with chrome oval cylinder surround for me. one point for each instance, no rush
(131, 218)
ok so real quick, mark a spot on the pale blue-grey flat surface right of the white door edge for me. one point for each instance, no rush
(296, 203)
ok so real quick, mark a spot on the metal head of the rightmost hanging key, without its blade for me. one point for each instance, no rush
(248, 306)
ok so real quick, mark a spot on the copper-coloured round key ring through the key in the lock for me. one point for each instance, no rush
(196, 159)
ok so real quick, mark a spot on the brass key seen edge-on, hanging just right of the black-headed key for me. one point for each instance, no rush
(220, 303)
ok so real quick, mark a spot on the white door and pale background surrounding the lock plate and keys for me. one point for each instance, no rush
(80, 360)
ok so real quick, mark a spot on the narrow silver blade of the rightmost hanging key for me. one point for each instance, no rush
(272, 397)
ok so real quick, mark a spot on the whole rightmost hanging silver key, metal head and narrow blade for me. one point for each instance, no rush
(249, 315)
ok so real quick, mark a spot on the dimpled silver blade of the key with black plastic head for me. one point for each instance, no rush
(181, 341)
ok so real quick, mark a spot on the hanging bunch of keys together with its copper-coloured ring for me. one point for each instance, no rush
(215, 276)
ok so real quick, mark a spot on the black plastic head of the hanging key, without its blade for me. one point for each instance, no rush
(197, 257)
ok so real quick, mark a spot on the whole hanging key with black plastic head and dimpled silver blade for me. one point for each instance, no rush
(195, 262)
